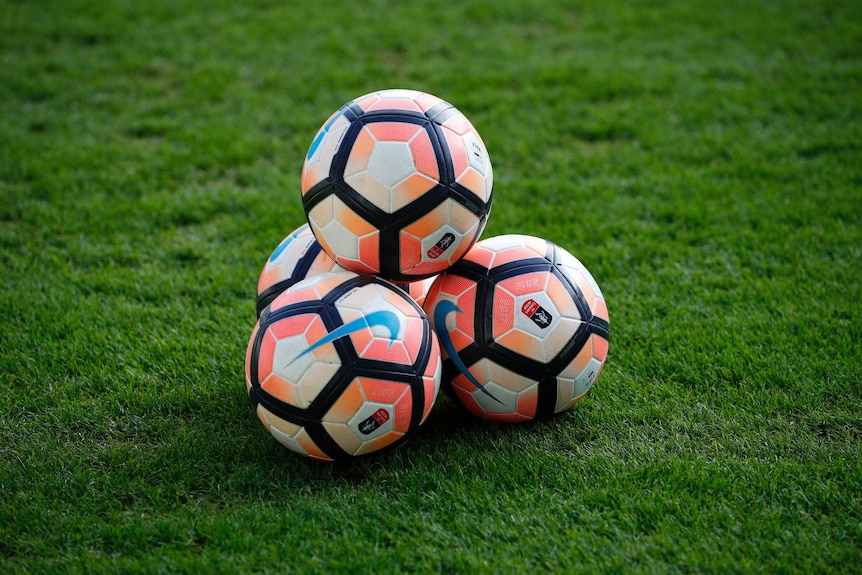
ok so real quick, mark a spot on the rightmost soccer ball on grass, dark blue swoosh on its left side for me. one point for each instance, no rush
(524, 328)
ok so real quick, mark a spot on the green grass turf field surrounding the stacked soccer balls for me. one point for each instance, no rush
(703, 159)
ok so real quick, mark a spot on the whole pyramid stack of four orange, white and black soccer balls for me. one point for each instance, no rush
(355, 305)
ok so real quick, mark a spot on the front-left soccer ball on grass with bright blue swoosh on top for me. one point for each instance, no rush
(342, 365)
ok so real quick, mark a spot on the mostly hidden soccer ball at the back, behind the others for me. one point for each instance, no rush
(298, 256)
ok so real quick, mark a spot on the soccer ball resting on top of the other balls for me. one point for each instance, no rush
(398, 184)
